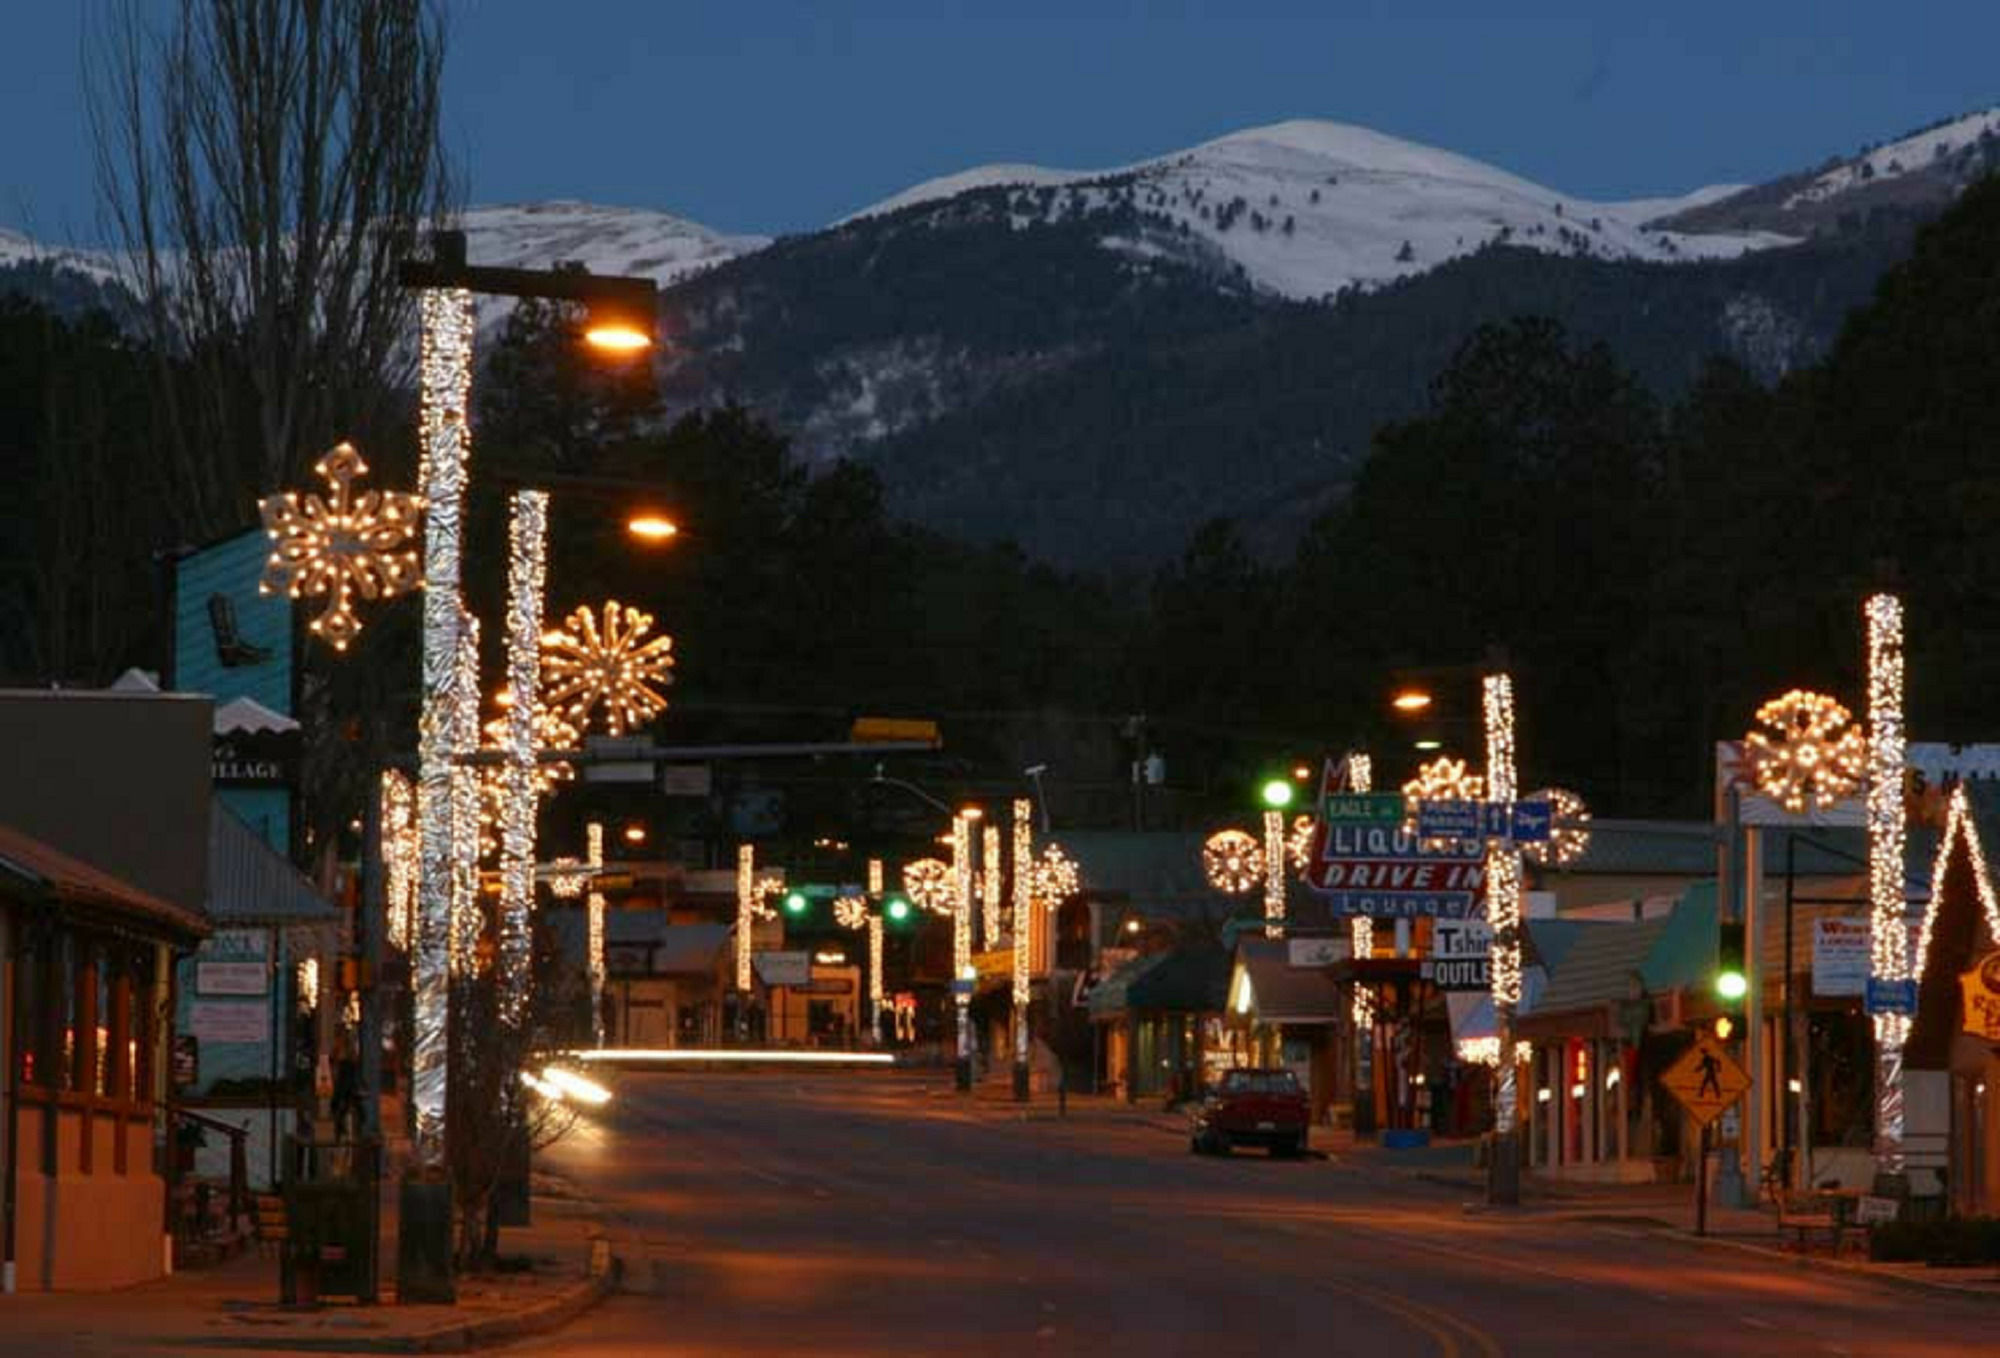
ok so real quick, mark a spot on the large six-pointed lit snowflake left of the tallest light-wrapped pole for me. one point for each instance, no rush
(341, 547)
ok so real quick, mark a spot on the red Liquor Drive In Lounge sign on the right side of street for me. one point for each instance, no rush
(1391, 873)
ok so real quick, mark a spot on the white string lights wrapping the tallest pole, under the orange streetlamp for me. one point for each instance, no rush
(445, 367)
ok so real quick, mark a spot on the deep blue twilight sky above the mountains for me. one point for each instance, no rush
(777, 117)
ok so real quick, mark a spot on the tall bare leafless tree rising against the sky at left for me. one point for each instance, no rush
(267, 165)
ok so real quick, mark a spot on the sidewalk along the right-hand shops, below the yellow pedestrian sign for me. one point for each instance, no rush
(1669, 1211)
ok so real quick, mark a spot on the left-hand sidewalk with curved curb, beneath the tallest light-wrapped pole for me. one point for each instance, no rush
(235, 1305)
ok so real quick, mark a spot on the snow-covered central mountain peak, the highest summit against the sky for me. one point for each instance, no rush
(1307, 209)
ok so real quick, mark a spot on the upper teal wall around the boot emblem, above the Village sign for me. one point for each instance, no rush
(265, 621)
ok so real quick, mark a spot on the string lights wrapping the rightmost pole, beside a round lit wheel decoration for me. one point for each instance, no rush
(1889, 937)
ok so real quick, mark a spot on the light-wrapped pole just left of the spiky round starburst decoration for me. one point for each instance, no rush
(521, 777)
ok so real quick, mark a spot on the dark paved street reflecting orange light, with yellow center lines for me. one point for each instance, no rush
(881, 1215)
